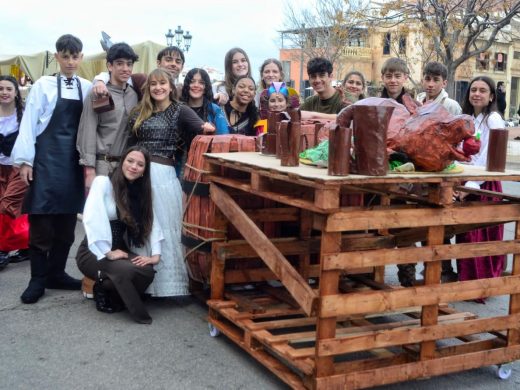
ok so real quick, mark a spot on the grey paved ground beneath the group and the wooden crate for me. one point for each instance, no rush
(62, 342)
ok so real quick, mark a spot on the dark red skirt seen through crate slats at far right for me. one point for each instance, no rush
(484, 266)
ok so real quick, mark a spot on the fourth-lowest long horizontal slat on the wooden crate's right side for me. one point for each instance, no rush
(376, 257)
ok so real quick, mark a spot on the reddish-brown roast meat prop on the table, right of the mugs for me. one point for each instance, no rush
(431, 137)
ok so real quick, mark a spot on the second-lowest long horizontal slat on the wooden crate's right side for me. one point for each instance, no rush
(414, 334)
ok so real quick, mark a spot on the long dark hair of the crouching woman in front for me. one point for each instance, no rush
(122, 197)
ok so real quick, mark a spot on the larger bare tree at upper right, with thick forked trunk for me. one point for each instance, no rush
(457, 30)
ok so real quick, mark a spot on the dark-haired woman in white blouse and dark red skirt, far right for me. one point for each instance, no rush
(480, 102)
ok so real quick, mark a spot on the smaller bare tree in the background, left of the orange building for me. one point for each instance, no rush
(324, 29)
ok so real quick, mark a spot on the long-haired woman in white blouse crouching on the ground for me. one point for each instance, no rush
(123, 240)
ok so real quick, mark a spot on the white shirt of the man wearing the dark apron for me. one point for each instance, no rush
(38, 112)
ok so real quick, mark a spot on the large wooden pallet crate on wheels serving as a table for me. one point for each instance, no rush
(331, 322)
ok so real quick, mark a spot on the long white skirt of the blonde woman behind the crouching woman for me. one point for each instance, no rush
(171, 278)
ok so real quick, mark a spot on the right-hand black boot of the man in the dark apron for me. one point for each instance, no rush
(57, 278)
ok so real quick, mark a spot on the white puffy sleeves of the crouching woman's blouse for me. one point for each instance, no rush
(100, 209)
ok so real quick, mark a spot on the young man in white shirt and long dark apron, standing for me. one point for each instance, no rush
(45, 151)
